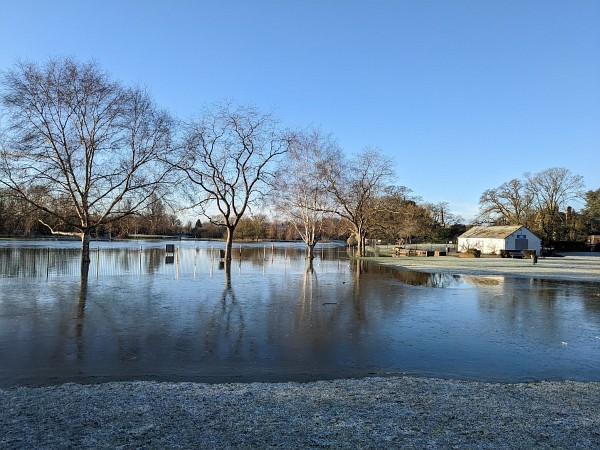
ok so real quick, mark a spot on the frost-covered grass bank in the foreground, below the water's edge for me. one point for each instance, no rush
(398, 412)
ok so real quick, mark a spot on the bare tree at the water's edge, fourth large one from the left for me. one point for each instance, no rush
(355, 185)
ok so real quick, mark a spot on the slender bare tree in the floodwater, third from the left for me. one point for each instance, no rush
(301, 196)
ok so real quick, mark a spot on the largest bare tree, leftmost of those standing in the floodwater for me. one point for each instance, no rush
(90, 144)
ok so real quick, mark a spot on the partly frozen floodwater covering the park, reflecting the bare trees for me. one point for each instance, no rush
(144, 314)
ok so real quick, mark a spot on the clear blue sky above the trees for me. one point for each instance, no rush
(463, 94)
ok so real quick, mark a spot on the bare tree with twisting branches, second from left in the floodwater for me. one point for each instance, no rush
(226, 156)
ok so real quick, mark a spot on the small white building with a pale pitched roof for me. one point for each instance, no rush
(490, 240)
